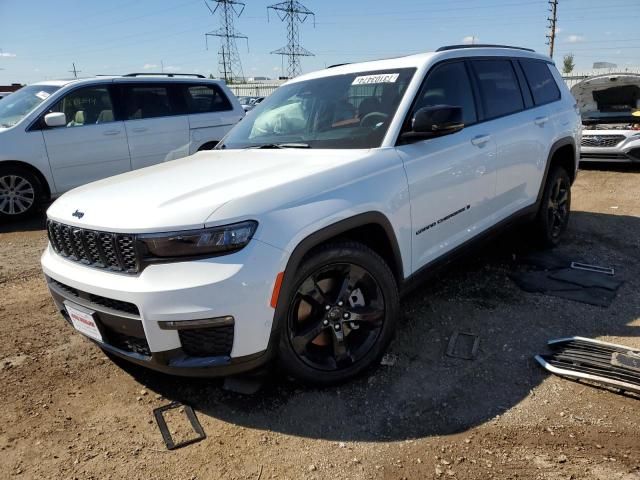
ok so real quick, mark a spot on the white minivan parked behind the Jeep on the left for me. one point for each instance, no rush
(57, 135)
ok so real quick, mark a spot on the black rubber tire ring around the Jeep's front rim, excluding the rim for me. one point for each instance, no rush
(340, 253)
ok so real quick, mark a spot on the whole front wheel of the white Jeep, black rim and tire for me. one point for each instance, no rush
(341, 314)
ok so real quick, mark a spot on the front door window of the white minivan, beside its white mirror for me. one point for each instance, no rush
(86, 106)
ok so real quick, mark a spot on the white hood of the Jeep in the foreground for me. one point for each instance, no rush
(182, 194)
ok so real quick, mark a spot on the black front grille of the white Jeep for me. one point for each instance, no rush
(111, 251)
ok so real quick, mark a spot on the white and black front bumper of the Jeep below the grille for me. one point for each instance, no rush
(133, 312)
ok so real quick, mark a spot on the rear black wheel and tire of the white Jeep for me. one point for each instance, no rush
(555, 208)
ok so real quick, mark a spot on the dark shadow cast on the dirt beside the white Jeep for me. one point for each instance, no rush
(425, 392)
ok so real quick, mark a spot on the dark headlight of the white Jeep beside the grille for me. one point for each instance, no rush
(198, 243)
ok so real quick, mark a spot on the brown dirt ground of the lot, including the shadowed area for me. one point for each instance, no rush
(67, 411)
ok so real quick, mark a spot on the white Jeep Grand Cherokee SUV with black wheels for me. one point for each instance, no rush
(294, 237)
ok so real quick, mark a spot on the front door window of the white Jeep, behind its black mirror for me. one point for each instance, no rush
(449, 84)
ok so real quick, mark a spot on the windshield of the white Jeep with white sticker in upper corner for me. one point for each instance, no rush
(341, 111)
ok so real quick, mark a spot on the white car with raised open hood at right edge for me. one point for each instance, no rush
(610, 109)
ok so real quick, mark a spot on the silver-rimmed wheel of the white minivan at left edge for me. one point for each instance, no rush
(21, 193)
